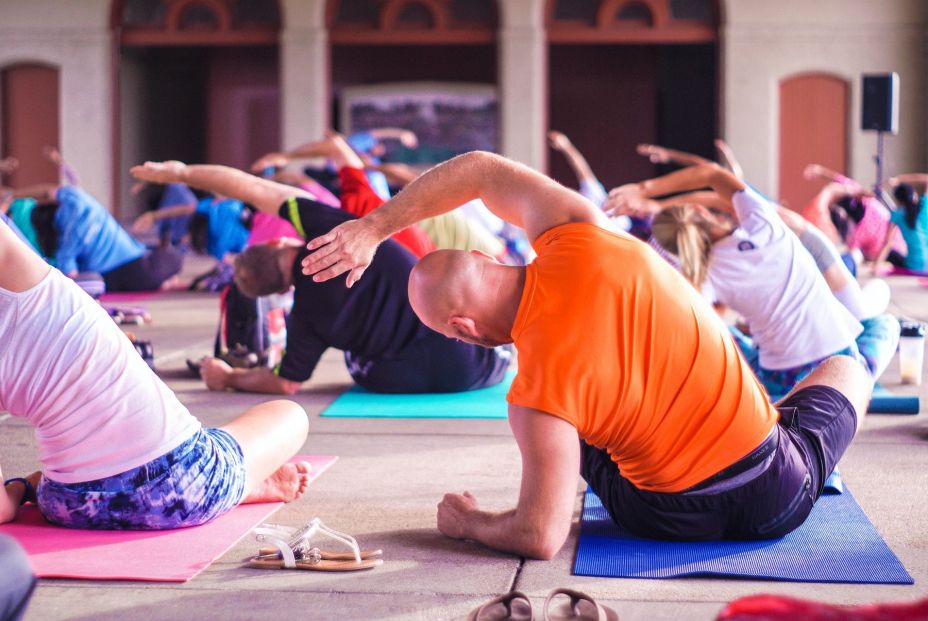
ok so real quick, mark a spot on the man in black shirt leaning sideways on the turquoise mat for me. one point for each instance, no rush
(387, 348)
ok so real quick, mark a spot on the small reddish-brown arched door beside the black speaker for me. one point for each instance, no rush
(813, 130)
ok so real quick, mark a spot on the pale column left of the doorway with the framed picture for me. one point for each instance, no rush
(304, 72)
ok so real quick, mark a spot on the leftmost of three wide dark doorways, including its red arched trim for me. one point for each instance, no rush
(198, 80)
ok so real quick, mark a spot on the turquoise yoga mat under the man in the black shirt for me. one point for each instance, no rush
(482, 403)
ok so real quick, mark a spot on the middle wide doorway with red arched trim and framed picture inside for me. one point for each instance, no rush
(409, 56)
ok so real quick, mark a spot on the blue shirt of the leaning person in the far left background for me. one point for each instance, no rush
(89, 238)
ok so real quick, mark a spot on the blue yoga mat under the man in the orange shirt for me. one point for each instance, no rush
(837, 543)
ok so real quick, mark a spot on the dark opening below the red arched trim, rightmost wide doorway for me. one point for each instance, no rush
(610, 98)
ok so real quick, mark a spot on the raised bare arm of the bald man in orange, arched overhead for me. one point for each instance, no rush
(510, 190)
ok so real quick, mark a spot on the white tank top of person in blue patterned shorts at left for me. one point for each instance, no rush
(97, 408)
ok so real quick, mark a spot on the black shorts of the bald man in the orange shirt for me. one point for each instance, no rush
(816, 426)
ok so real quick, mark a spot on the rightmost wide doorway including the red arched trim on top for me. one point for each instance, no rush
(623, 72)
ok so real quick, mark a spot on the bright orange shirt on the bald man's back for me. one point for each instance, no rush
(658, 383)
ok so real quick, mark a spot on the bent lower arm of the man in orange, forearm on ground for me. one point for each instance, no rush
(539, 524)
